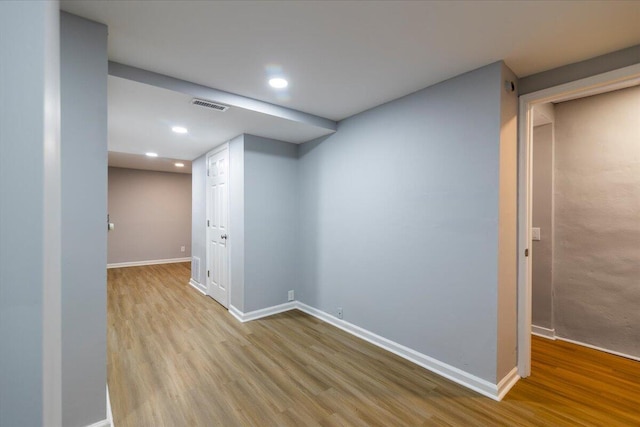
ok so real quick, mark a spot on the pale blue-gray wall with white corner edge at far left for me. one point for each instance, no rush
(29, 214)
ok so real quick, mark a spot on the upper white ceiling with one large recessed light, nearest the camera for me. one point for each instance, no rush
(344, 57)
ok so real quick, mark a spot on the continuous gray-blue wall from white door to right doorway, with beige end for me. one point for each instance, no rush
(405, 219)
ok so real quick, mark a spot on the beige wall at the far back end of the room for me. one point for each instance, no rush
(152, 215)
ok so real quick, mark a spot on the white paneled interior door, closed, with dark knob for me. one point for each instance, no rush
(217, 225)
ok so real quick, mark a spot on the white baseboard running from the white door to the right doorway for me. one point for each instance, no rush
(482, 386)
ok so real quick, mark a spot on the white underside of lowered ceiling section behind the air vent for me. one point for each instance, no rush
(141, 117)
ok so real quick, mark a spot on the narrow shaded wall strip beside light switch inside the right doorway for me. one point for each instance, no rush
(542, 250)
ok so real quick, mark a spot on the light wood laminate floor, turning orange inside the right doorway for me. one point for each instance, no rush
(177, 358)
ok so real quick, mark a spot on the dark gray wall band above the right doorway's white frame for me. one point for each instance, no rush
(580, 70)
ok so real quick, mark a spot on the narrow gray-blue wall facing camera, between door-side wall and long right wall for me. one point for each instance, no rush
(271, 221)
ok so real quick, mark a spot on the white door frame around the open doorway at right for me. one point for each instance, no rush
(606, 82)
